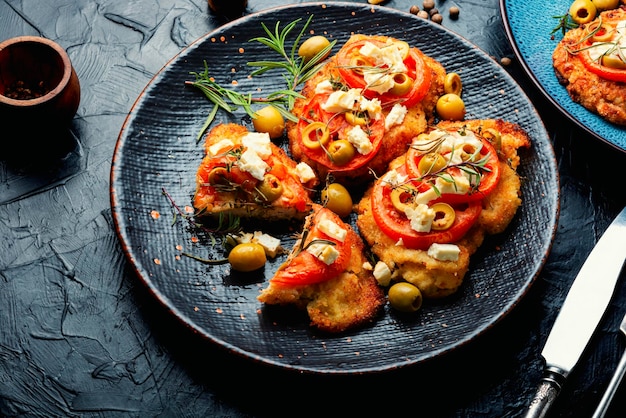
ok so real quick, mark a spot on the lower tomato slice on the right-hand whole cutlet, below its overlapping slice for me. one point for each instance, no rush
(397, 226)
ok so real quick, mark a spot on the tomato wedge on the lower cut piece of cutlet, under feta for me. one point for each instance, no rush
(305, 268)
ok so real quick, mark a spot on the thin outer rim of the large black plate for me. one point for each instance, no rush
(190, 324)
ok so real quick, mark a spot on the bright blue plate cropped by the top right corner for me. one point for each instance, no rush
(529, 26)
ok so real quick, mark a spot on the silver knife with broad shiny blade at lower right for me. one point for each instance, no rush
(580, 314)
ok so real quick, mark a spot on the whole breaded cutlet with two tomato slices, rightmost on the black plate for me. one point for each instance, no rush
(418, 257)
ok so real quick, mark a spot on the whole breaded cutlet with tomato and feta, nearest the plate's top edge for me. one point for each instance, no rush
(363, 108)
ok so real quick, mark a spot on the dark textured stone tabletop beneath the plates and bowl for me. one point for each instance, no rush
(80, 336)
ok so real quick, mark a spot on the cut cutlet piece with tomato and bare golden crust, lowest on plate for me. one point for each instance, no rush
(324, 275)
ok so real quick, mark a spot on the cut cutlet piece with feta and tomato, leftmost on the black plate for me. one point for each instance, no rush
(244, 174)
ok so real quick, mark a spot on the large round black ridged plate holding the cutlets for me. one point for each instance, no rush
(157, 152)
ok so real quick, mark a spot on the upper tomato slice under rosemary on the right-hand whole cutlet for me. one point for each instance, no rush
(489, 175)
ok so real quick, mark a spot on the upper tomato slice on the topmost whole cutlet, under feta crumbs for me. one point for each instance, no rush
(417, 70)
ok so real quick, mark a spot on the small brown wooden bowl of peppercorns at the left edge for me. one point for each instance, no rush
(38, 85)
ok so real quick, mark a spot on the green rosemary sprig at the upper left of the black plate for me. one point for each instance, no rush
(295, 71)
